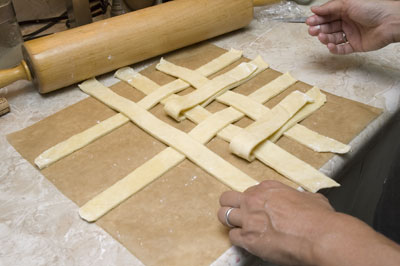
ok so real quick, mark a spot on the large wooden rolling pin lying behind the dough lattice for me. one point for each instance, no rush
(61, 59)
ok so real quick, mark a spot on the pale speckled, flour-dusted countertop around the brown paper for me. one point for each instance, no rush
(39, 225)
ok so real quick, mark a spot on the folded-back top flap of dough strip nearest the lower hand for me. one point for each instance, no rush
(244, 143)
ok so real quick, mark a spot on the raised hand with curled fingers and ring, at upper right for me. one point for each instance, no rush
(348, 26)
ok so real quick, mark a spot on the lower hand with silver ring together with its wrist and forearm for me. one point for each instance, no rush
(282, 225)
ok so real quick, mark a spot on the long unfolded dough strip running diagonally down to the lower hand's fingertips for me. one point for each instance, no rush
(192, 149)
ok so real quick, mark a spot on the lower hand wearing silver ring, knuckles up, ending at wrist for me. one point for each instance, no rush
(276, 222)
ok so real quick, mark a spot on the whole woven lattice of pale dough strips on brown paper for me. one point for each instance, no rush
(254, 141)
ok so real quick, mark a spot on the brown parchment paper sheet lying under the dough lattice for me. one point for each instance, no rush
(173, 220)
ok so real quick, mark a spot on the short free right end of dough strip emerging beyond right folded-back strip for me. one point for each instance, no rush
(315, 141)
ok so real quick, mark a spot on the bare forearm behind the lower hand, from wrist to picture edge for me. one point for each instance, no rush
(352, 242)
